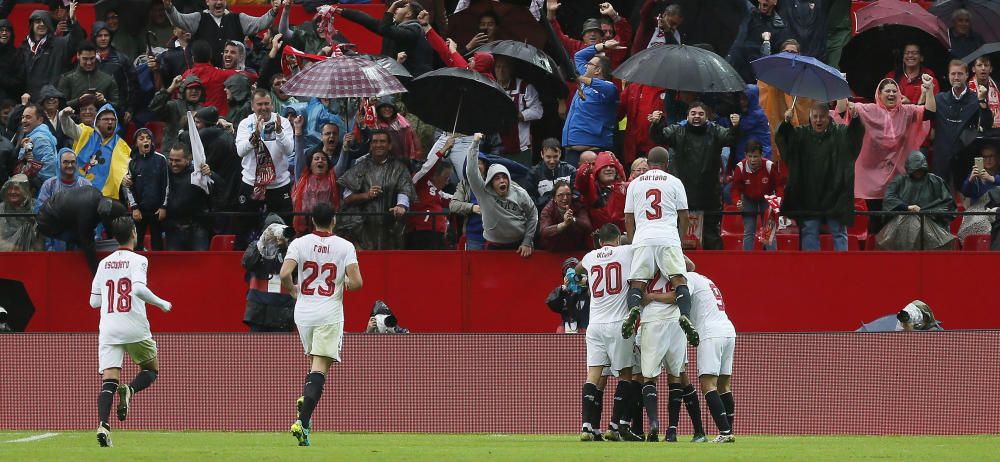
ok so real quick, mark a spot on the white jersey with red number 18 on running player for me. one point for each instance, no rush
(123, 314)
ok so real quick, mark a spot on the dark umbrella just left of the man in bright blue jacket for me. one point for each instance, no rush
(533, 65)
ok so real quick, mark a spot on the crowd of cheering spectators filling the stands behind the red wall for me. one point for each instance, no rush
(108, 107)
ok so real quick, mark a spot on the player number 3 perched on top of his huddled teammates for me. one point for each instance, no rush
(655, 211)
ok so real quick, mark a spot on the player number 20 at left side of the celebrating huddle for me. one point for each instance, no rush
(606, 269)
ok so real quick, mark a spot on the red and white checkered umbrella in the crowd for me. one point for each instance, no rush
(344, 77)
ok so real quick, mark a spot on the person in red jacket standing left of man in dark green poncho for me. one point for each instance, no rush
(753, 178)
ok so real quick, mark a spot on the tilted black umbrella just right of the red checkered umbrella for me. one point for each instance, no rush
(461, 99)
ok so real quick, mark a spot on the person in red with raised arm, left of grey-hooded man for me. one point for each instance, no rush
(426, 232)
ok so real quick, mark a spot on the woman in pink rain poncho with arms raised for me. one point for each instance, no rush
(892, 131)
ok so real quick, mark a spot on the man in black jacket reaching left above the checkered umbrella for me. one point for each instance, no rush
(401, 32)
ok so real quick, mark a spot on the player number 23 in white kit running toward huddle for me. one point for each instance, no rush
(326, 265)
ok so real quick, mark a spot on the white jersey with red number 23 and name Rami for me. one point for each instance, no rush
(322, 262)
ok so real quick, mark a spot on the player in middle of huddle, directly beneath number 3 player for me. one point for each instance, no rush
(661, 341)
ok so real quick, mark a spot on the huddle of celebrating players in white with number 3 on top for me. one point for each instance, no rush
(669, 303)
